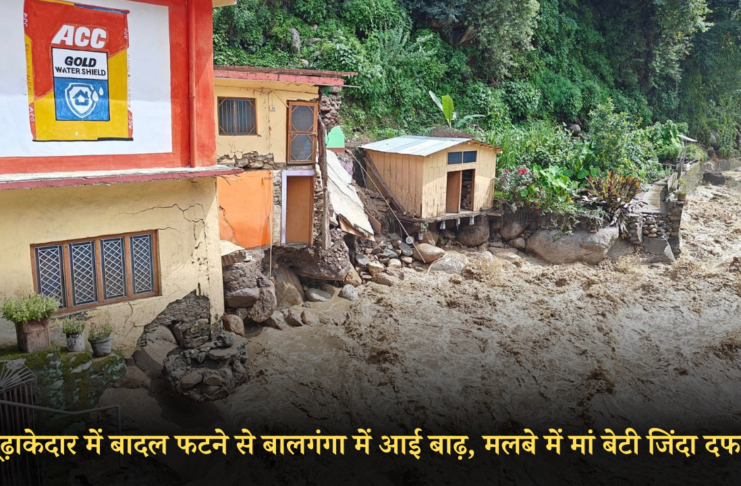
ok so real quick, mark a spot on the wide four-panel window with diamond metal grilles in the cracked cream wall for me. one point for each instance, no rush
(104, 270)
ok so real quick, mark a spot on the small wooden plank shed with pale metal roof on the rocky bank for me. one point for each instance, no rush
(436, 178)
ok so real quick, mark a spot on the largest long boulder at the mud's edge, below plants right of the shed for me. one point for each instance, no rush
(580, 246)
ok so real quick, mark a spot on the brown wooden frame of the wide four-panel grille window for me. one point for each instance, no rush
(99, 284)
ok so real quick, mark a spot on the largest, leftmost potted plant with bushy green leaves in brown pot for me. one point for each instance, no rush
(31, 318)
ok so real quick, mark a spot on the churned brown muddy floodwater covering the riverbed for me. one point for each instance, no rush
(513, 344)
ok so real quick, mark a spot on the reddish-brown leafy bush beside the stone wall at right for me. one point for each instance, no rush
(615, 194)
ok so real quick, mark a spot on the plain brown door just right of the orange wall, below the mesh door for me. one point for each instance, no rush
(299, 205)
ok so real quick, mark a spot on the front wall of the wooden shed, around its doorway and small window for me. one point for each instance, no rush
(435, 179)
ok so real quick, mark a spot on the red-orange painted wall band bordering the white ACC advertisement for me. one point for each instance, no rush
(179, 92)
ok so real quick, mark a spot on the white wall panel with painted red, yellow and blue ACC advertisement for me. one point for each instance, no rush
(88, 78)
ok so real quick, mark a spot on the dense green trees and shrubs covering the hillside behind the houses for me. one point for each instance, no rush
(631, 73)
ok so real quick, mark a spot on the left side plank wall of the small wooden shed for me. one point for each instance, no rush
(403, 174)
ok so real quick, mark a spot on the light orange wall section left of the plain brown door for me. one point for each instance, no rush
(246, 208)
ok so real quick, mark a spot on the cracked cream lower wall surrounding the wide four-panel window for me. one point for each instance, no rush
(184, 213)
